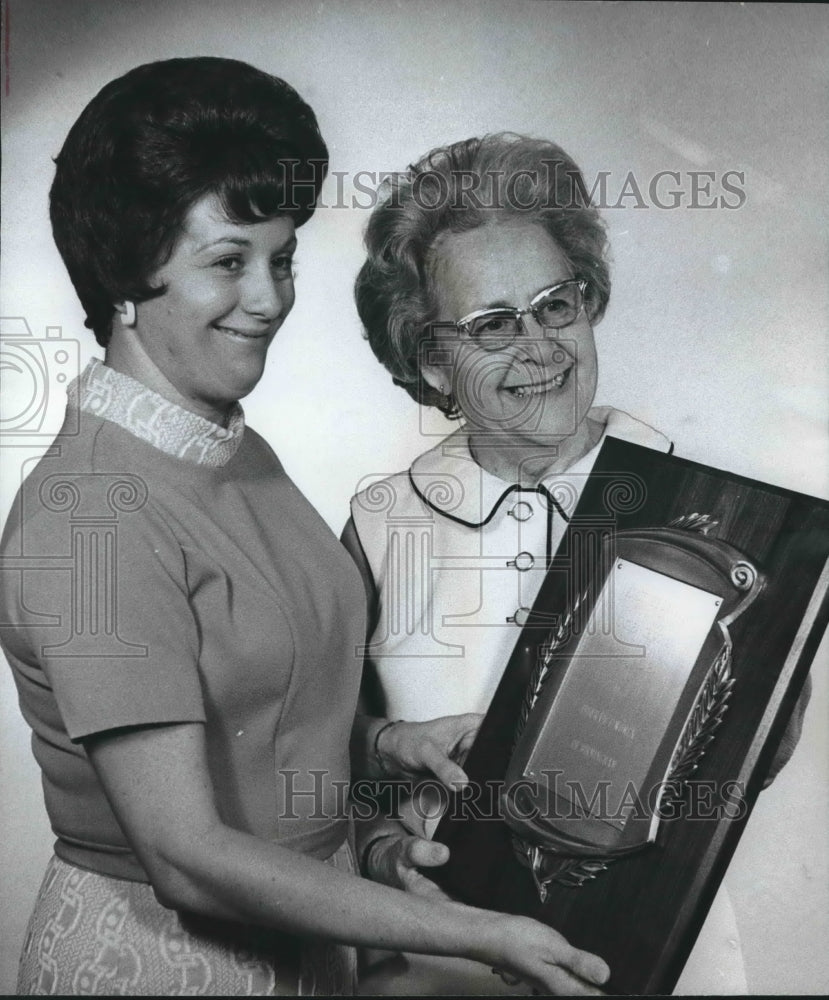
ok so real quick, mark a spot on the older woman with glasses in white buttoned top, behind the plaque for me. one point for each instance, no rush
(485, 277)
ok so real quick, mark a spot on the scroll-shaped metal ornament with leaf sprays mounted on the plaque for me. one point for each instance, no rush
(627, 693)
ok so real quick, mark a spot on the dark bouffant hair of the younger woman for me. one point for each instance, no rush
(153, 142)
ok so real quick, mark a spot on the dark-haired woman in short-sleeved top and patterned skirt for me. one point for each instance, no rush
(191, 684)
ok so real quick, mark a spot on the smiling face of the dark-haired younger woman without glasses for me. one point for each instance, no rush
(229, 287)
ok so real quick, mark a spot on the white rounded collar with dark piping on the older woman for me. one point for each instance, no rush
(451, 482)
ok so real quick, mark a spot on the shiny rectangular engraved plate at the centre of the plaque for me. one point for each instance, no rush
(606, 722)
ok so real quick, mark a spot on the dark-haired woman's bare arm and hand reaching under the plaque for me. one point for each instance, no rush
(158, 783)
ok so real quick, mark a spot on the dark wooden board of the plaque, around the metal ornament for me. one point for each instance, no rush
(643, 914)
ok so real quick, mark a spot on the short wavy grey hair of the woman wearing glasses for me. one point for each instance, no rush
(453, 189)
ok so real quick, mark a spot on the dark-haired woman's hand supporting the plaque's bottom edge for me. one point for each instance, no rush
(538, 955)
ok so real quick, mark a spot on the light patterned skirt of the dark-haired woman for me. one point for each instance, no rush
(92, 935)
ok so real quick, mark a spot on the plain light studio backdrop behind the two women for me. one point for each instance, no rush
(717, 326)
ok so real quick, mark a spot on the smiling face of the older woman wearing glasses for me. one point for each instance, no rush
(532, 397)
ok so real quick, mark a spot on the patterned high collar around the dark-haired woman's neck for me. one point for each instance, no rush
(122, 400)
